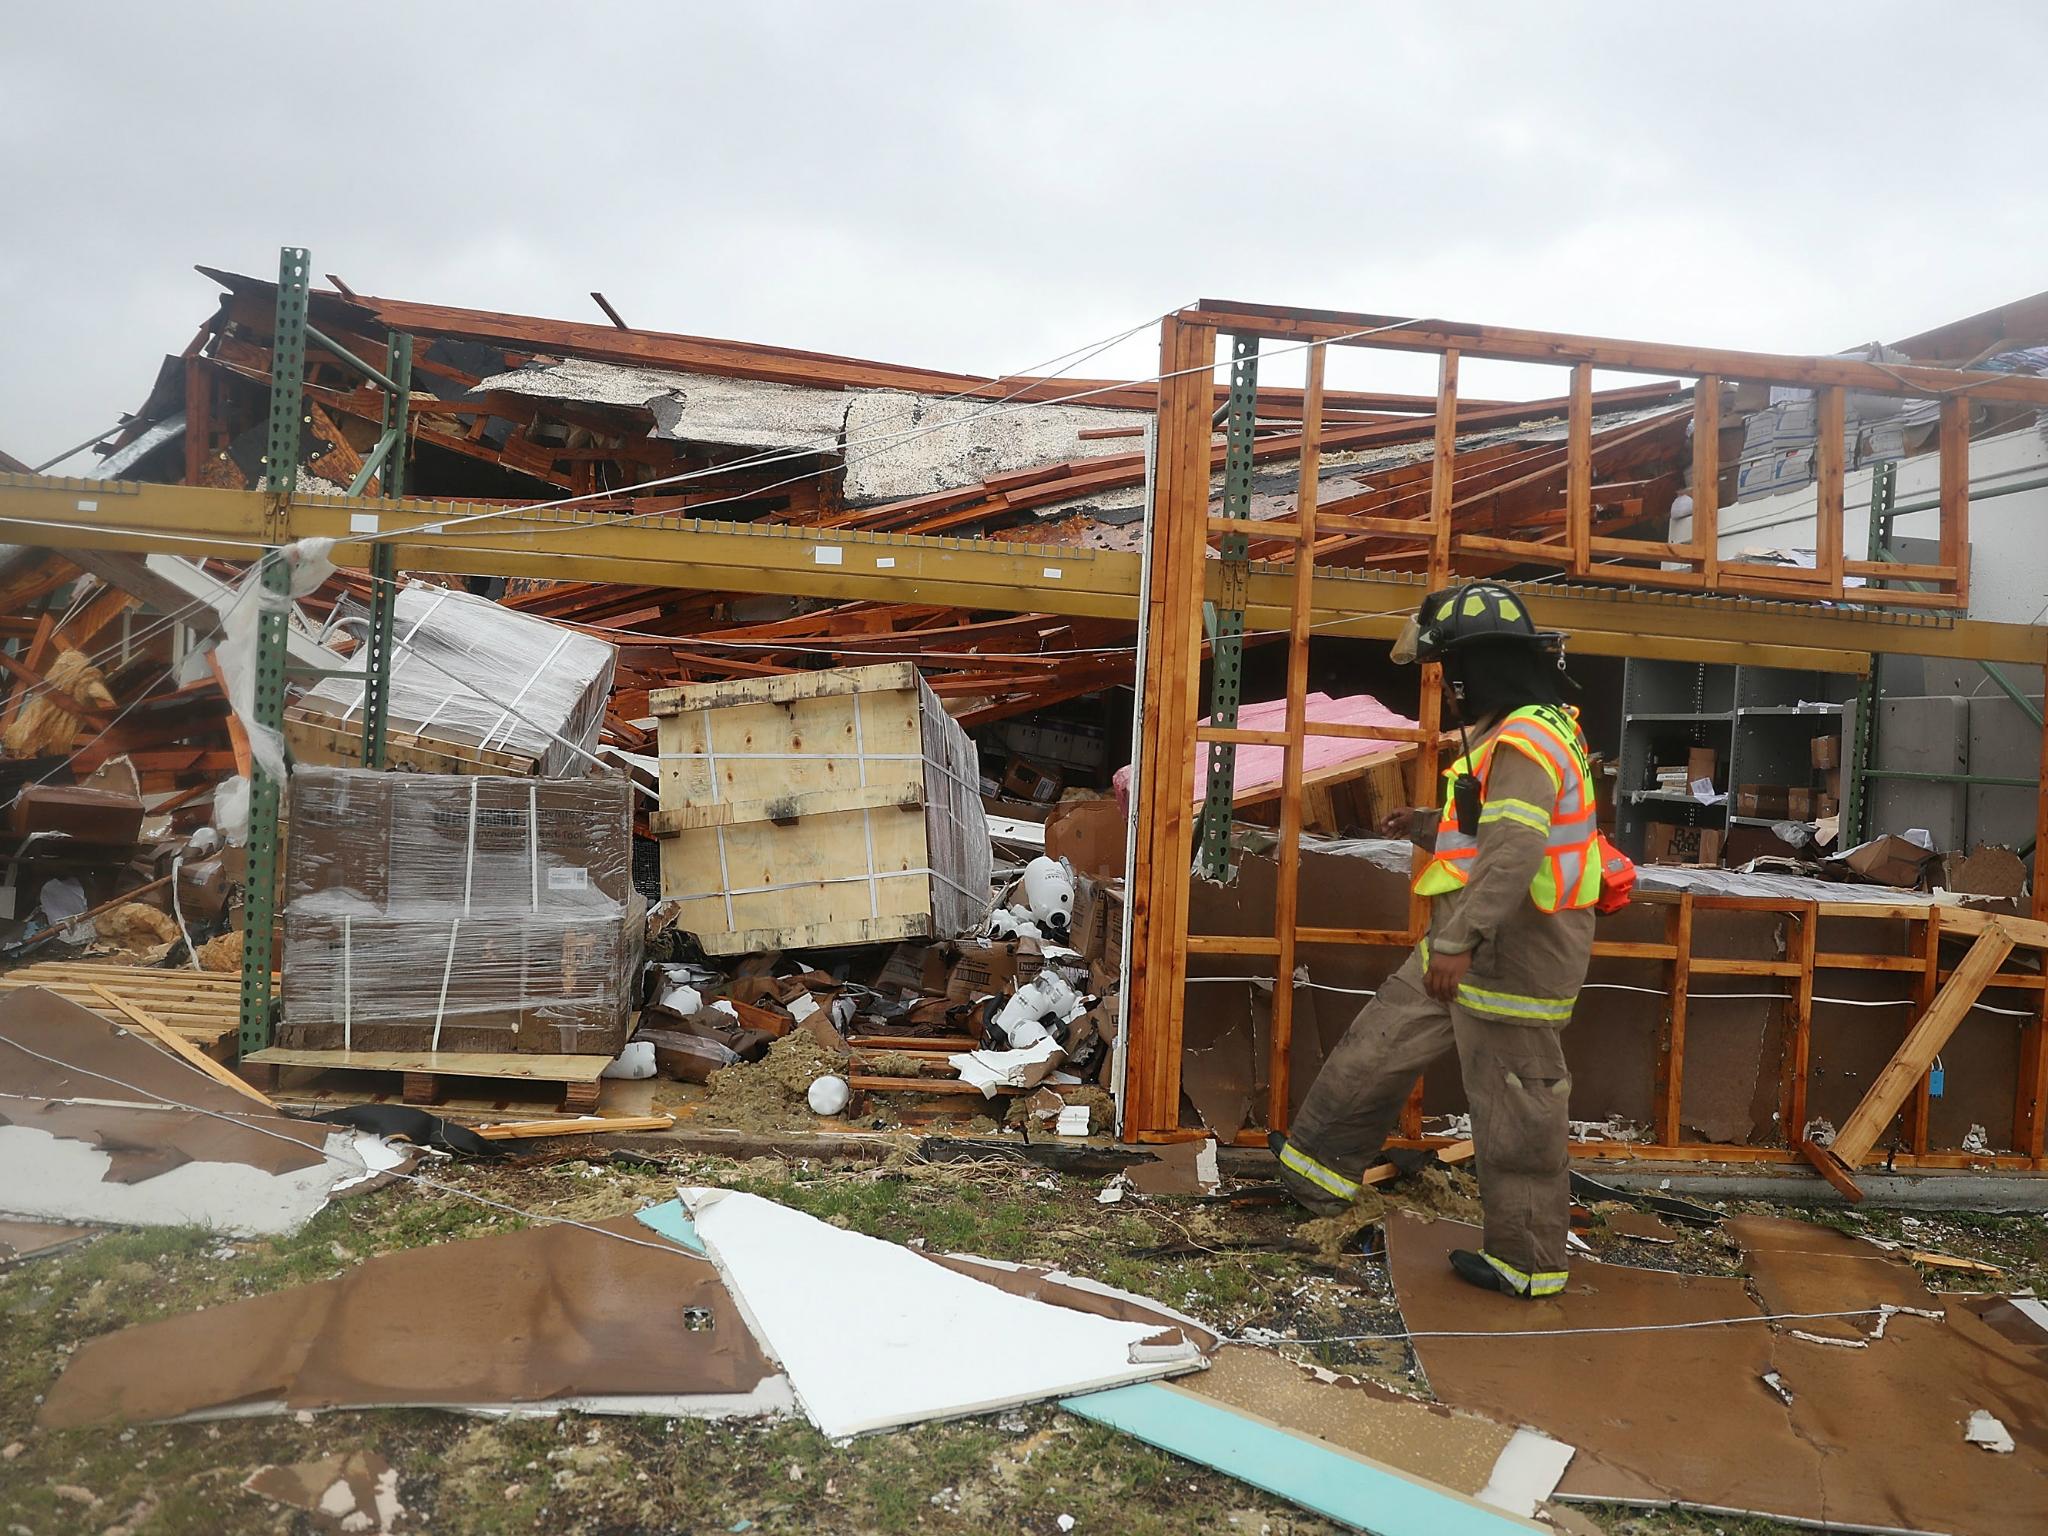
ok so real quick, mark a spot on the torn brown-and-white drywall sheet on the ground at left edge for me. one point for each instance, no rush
(101, 1125)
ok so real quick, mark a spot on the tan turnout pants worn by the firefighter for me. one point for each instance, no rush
(1514, 1080)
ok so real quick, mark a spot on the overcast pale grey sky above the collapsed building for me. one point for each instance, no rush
(988, 185)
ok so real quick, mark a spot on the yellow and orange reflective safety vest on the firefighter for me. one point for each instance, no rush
(1570, 873)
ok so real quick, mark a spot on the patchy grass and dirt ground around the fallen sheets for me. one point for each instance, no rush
(1244, 1269)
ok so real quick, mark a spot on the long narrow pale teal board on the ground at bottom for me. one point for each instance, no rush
(1314, 1474)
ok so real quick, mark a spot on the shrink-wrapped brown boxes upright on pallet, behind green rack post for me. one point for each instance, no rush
(439, 912)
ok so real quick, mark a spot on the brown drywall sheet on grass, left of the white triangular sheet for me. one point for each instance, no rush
(605, 1318)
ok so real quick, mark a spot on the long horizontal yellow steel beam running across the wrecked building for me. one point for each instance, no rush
(566, 544)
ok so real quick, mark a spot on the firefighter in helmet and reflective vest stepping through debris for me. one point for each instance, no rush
(1512, 884)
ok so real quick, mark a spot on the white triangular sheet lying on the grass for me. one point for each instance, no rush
(933, 1345)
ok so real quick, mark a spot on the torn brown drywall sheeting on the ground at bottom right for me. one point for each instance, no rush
(1873, 1435)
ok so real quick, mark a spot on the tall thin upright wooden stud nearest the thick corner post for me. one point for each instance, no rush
(1287, 886)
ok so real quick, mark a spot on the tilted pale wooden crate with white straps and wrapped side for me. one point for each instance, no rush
(816, 810)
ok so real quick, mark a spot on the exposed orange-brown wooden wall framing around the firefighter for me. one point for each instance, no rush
(1179, 579)
